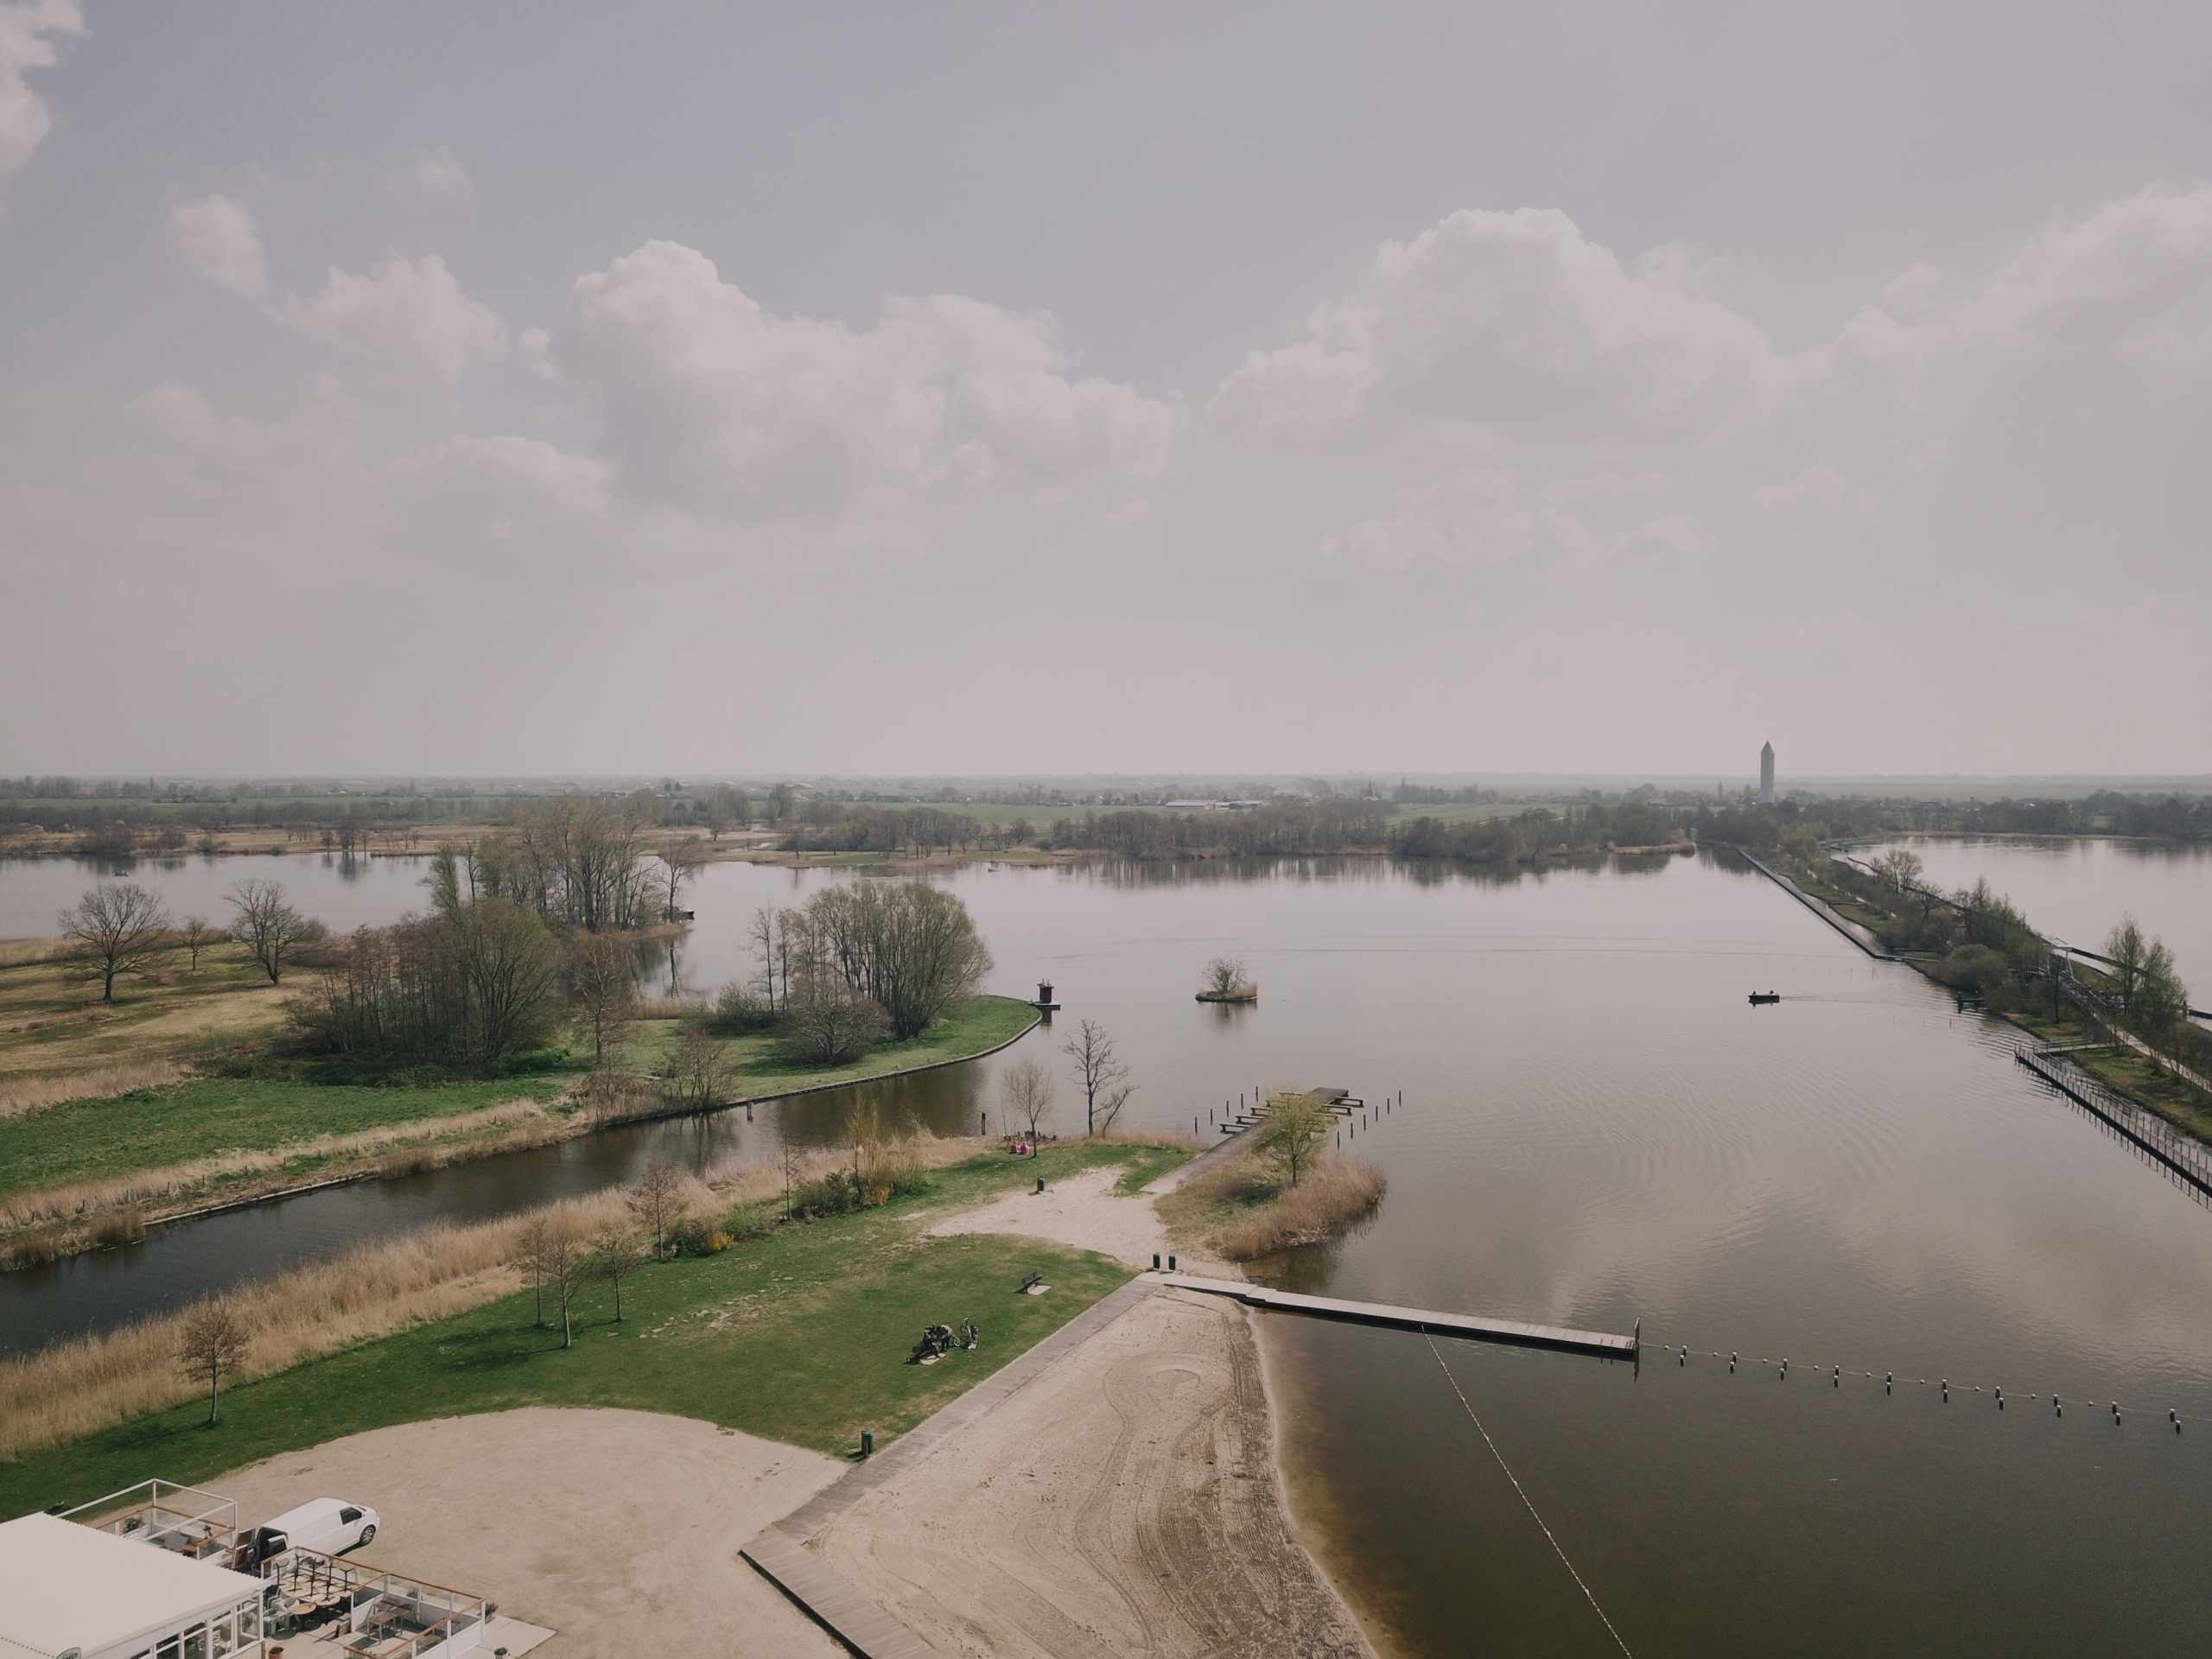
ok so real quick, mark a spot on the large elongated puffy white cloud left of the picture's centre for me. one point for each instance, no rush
(711, 401)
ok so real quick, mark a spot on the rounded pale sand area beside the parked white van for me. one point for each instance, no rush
(618, 1530)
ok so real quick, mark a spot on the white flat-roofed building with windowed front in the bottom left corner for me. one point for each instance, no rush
(70, 1592)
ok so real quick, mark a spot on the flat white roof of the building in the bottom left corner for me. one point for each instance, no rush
(74, 1587)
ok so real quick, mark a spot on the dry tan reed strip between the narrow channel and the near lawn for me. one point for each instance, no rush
(90, 1384)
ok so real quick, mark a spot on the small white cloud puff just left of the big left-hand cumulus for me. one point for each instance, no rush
(410, 320)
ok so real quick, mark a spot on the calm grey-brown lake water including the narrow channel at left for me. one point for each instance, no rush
(1596, 1131)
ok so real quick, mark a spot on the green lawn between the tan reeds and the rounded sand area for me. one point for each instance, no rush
(797, 1337)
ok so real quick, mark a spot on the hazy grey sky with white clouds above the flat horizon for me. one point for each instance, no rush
(1145, 388)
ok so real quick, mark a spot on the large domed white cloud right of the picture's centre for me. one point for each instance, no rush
(1516, 328)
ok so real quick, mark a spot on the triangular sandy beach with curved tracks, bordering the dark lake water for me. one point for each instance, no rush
(1120, 1503)
